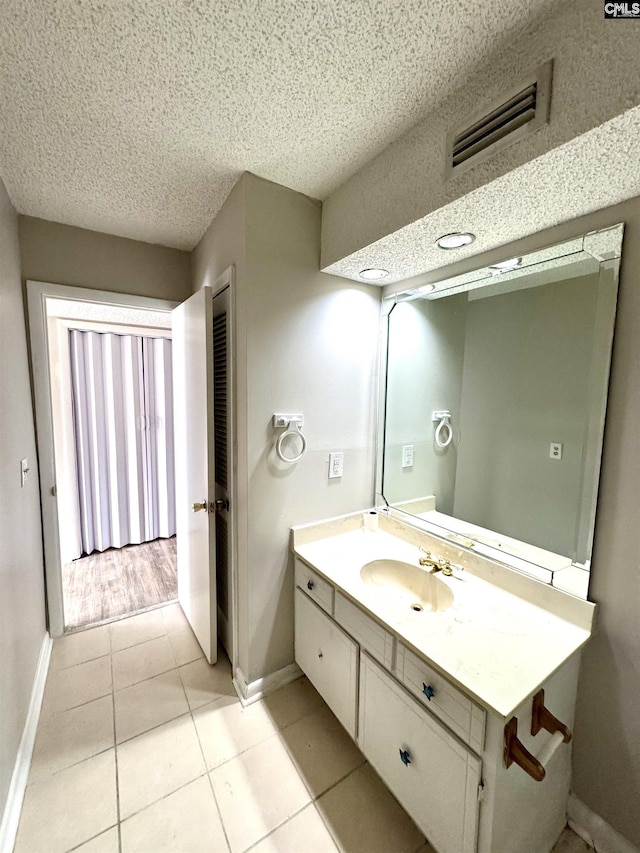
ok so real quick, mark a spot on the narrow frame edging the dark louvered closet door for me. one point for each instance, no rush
(227, 279)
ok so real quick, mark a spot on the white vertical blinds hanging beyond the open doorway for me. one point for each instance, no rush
(124, 438)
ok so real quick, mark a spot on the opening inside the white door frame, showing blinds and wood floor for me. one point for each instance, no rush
(116, 526)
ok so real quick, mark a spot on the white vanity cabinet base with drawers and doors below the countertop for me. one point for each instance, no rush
(437, 749)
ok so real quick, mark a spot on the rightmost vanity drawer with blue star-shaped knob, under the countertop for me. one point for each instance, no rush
(453, 707)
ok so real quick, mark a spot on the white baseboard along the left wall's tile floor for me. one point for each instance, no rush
(17, 788)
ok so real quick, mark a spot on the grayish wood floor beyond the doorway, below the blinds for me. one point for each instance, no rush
(119, 582)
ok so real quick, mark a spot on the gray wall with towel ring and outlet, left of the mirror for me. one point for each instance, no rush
(310, 344)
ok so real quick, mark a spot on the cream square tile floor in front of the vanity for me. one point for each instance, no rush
(142, 746)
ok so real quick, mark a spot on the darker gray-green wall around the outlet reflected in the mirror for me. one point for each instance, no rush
(527, 388)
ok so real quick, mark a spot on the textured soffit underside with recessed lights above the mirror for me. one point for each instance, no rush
(592, 171)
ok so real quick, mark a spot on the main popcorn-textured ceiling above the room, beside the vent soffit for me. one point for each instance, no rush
(136, 117)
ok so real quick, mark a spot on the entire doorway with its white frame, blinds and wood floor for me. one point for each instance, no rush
(110, 545)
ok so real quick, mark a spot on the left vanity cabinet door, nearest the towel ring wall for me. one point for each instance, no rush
(329, 658)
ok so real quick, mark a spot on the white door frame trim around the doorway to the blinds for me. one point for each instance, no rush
(38, 293)
